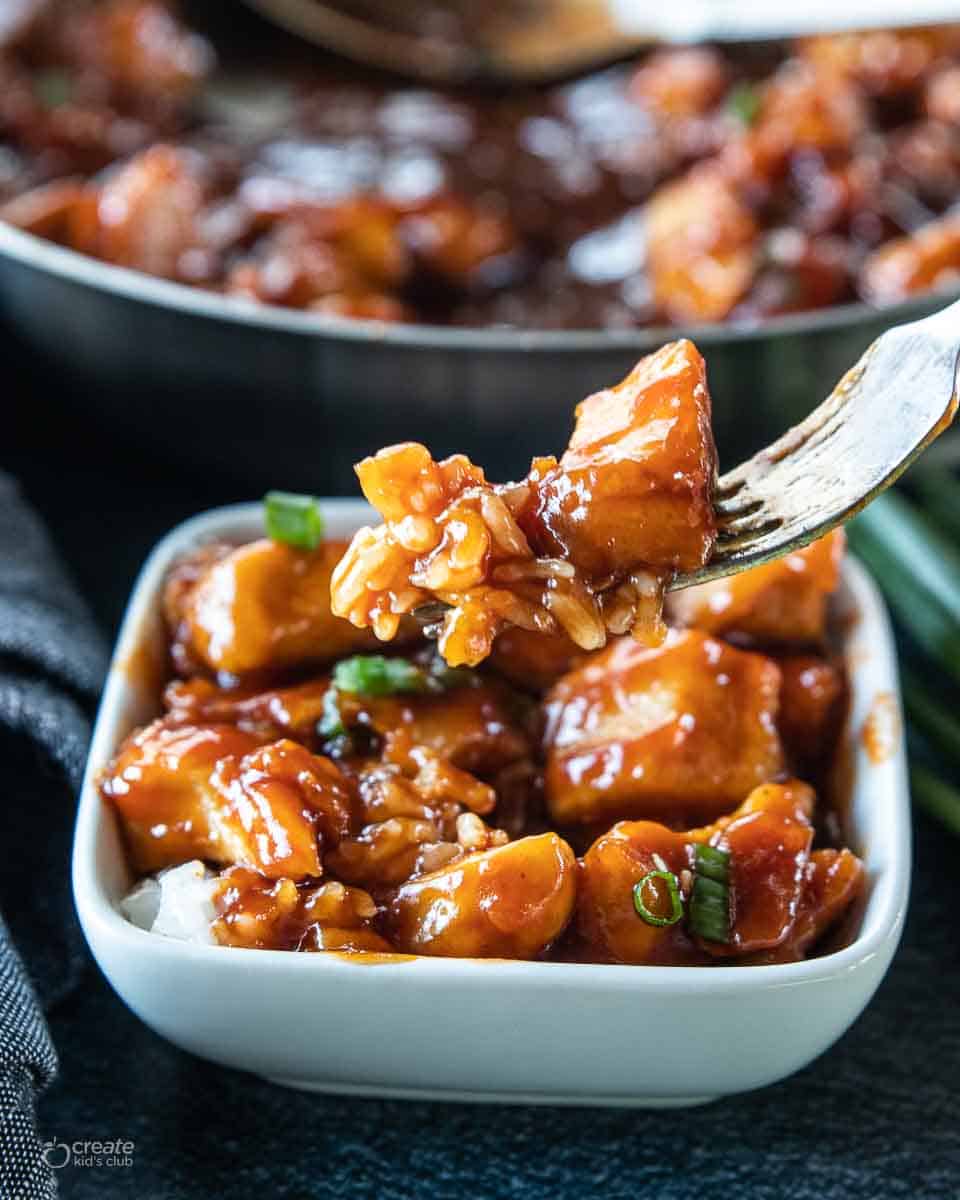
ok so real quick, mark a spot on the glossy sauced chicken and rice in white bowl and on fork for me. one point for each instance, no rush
(393, 803)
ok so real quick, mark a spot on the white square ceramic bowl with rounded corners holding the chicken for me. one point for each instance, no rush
(493, 1030)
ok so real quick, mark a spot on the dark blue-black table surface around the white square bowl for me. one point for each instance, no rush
(877, 1117)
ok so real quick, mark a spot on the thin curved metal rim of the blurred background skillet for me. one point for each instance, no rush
(51, 259)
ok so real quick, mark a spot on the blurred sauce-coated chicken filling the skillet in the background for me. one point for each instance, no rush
(292, 181)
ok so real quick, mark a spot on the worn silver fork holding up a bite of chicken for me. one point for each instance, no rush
(883, 415)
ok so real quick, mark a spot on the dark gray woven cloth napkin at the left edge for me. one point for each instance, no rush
(52, 664)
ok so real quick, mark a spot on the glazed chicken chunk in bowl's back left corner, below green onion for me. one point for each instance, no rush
(263, 607)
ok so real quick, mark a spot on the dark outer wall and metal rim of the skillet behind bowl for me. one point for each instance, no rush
(275, 397)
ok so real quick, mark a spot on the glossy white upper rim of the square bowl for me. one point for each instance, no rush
(869, 635)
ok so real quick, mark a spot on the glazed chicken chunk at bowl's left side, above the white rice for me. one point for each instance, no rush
(218, 794)
